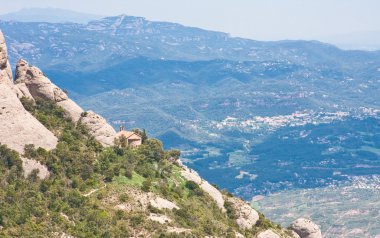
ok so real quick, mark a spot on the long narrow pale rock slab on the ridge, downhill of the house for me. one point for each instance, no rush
(205, 186)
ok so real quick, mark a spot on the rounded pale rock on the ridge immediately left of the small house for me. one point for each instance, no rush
(99, 128)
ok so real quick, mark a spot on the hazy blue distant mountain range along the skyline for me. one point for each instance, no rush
(71, 46)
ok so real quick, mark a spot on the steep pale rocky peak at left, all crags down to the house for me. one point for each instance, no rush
(19, 128)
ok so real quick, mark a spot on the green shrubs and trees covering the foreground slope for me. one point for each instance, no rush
(85, 182)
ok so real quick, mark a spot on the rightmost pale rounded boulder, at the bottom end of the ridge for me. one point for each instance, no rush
(306, 228)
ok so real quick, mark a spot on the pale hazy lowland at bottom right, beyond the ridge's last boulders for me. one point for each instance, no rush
(338, 218)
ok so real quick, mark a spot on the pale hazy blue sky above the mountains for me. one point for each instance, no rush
(355, 21)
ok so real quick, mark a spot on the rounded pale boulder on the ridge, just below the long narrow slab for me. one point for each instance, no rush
(246, 216)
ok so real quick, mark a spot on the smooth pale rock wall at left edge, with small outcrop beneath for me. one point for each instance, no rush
(17, 126)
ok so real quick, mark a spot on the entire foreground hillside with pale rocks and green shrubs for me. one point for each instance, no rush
(70, 180)
